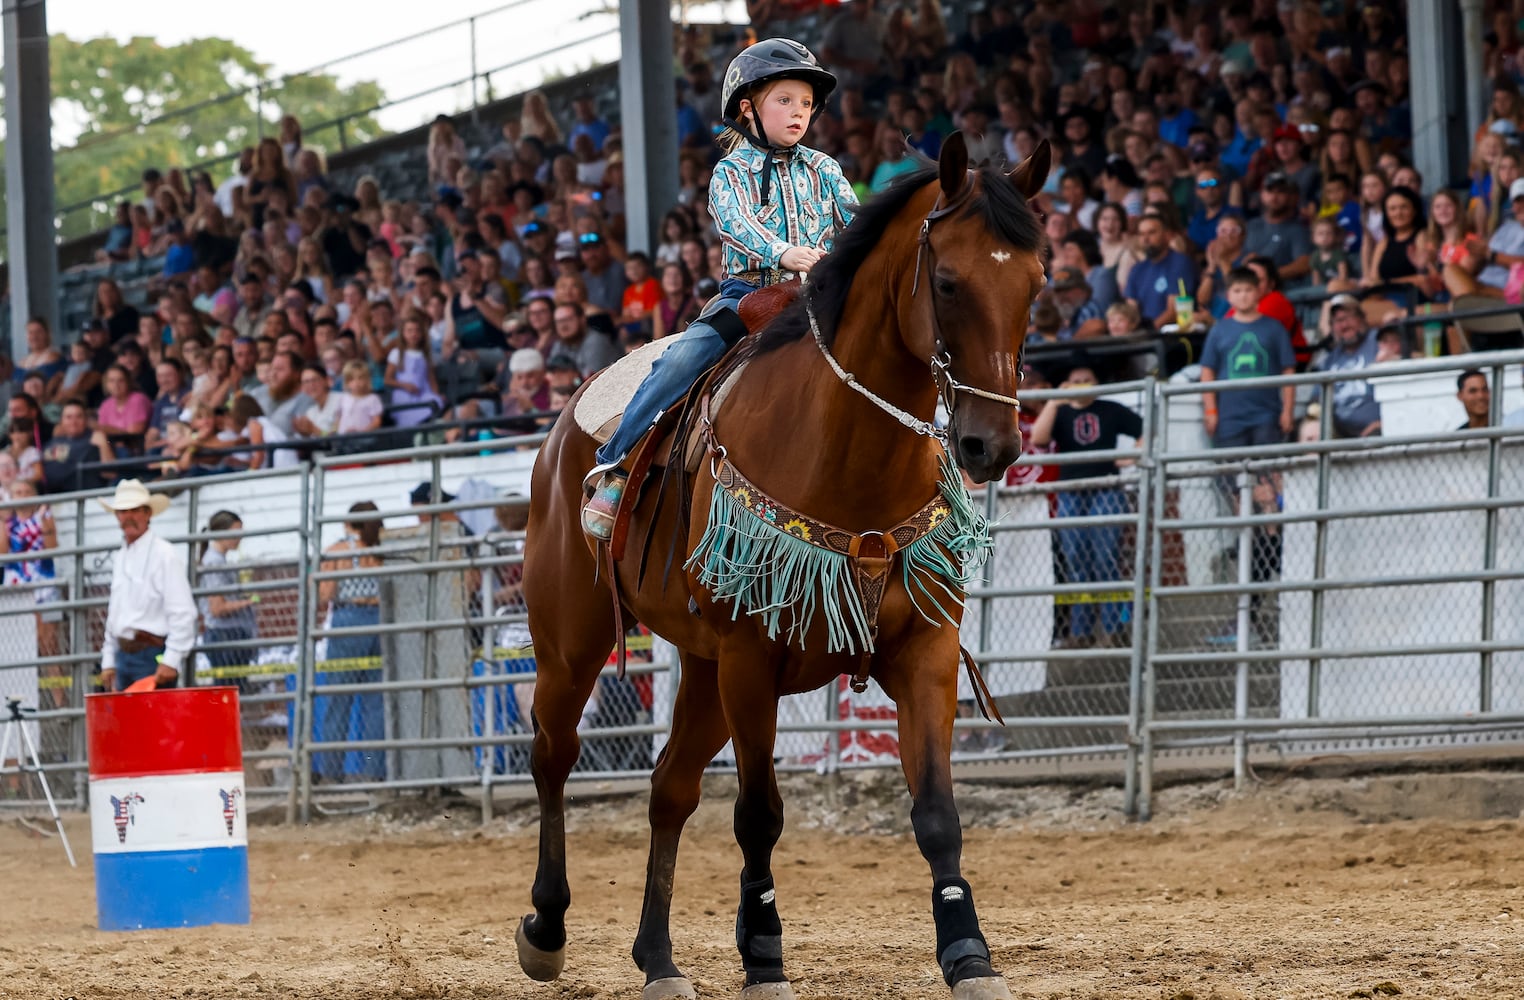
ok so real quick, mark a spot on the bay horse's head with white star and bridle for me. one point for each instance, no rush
(978, 269)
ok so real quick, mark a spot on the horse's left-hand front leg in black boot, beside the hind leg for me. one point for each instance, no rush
(749, 694)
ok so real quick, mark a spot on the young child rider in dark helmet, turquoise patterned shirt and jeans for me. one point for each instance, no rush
(776, 204)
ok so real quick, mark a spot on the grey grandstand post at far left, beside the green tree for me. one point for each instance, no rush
(33, 249)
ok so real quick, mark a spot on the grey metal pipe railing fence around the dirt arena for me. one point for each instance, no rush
(1202, 609)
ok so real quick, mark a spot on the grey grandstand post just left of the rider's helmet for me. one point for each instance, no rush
(648, 117)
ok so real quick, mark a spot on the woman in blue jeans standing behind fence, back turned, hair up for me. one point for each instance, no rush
(353, 603)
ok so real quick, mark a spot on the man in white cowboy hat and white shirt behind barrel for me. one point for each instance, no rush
(150, 621)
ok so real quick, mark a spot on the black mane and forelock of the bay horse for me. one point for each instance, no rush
(1004, 208)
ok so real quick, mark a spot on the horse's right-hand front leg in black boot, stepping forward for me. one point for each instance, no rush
(921, 678)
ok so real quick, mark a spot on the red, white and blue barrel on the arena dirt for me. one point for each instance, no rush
(167, 809)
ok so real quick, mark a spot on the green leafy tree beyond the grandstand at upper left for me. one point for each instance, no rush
(114, 98)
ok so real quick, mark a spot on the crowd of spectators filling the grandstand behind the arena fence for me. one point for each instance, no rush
(1191, 144)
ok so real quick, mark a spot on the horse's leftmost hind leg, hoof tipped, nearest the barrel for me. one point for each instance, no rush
(571, 652)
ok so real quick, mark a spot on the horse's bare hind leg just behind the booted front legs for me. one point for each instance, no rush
(699, 732)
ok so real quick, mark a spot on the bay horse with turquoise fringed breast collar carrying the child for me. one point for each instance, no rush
(924, 298)
